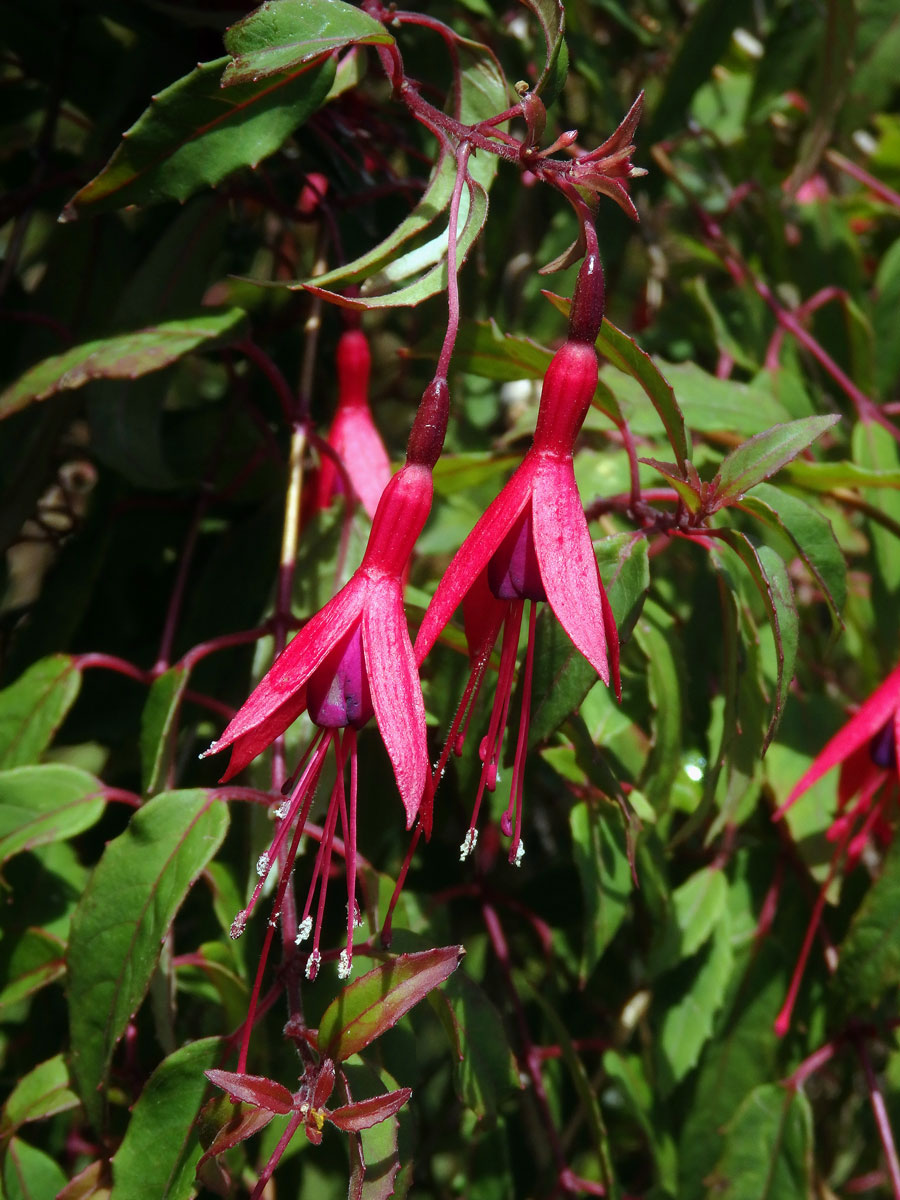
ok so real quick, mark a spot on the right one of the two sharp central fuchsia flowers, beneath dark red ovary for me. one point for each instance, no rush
(532, 544)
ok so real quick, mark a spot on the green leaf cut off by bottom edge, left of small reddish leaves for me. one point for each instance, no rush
(160, 1151)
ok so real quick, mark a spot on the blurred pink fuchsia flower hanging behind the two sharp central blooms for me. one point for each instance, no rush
(353, 435)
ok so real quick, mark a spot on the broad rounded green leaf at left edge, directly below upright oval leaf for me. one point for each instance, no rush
(44, 805)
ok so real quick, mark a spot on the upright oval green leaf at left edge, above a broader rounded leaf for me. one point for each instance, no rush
(33, 709)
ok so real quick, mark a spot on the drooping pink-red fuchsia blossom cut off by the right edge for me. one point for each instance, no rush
(868, 751)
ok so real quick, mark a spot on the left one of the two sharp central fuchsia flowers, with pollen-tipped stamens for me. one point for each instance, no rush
(351, 661)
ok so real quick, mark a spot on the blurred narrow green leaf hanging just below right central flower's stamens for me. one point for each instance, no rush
(605, 877)
